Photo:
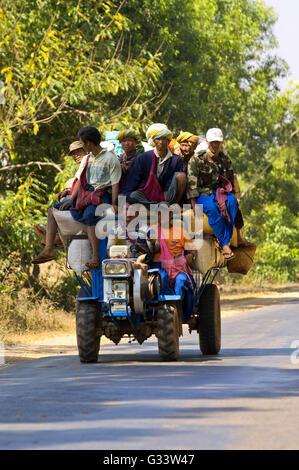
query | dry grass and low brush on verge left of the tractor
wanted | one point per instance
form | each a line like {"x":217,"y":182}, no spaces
{"x":44,"y":309}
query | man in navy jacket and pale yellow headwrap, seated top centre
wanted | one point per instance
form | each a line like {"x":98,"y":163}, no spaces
{"x":158,"y":174}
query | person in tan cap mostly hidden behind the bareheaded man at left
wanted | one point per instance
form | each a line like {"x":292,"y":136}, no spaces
{"x":77,"y":152}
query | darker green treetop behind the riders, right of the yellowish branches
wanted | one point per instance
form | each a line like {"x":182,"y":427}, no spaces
{"x":218,"y":66}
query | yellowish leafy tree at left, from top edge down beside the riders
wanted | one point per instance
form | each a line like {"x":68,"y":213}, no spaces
{"x":64,"y":66}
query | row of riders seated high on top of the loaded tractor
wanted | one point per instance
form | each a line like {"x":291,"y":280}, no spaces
{"x":175,"y":171}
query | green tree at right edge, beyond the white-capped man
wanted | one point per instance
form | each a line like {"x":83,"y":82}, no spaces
{"x":271,"y":204}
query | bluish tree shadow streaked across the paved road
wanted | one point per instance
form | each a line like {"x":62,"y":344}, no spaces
{"x":125,"y":397}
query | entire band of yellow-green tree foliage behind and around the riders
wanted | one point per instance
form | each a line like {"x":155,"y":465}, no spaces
{"x":115,"y":63}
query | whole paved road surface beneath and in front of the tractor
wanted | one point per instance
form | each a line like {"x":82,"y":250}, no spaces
{"x":247,"y":397}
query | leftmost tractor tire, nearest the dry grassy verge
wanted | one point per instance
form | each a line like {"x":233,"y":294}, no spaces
{"x":87,"y":328}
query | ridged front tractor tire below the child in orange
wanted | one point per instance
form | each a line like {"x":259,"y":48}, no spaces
{"x":168,"y":333}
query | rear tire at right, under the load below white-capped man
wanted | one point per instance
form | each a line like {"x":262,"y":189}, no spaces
{"x":209,"y":320}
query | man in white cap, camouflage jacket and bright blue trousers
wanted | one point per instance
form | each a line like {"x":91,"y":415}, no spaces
{"x":210,"y":183}
